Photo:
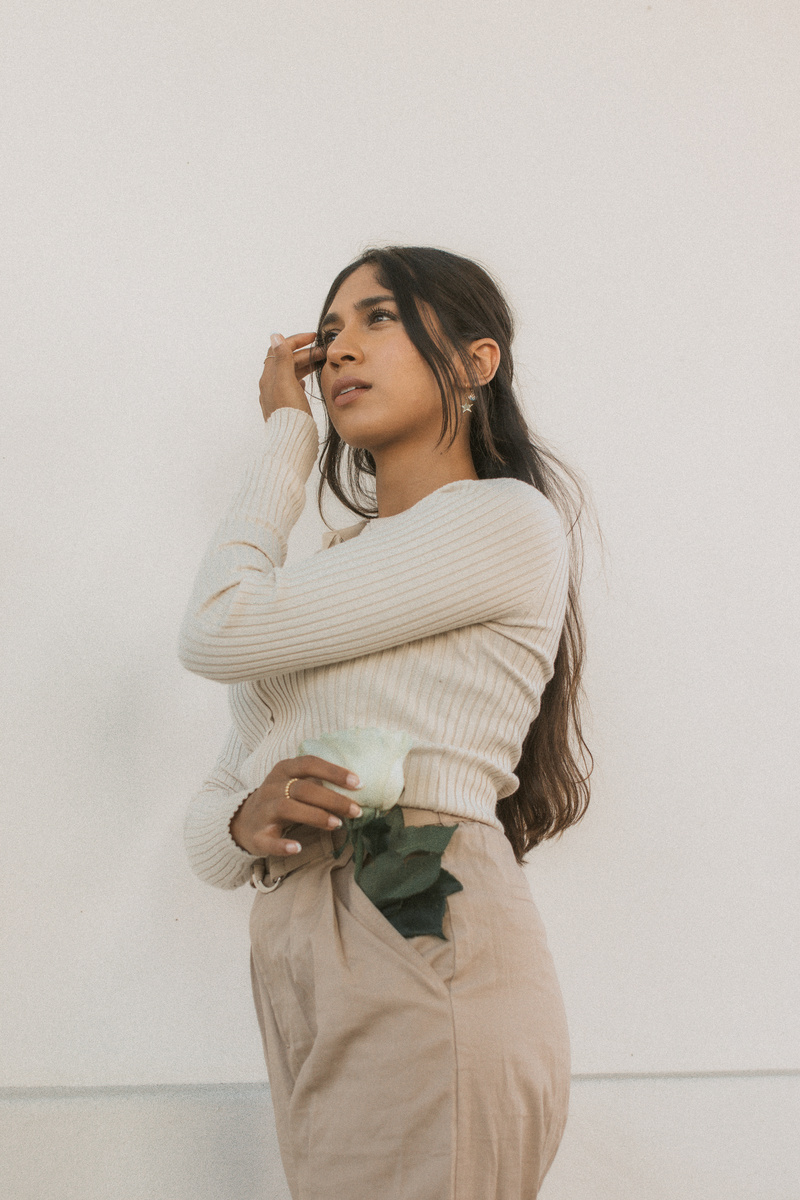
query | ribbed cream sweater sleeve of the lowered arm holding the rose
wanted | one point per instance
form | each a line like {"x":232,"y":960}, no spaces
{"x":213,"y":854}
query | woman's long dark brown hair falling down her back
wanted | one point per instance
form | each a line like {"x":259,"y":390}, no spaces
{"x":554,"y":791}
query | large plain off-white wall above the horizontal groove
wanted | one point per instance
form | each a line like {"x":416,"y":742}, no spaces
{"x":185,"y":178}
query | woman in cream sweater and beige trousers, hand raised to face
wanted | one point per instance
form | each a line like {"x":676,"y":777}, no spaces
{"x":430,"y":1067}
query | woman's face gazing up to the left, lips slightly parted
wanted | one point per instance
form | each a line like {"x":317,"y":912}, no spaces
{"x":365,"y":339}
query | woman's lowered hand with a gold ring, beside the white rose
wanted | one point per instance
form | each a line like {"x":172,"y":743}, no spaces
{"x":260,"y":823}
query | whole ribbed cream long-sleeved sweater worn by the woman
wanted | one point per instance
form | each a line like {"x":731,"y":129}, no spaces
{"x":443,"y":621}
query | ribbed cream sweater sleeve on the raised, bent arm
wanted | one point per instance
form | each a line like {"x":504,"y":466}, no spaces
{"x":473,"y":551}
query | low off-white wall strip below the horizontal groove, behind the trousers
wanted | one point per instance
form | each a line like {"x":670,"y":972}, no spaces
{"x":627,"y":1139}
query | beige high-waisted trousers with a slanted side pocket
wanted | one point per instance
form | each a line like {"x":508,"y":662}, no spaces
{"x":411,"y":1069}
